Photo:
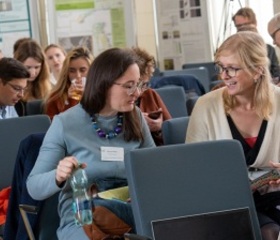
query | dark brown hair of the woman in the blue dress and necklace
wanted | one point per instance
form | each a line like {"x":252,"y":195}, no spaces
{"x":104,"y":71}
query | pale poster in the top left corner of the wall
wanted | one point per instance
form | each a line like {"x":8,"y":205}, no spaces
{"x":15,"y":23}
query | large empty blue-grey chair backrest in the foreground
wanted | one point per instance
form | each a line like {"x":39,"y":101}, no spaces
{"x":187,"y":179}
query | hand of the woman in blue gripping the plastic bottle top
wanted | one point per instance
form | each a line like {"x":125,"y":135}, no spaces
{"x":65,"y":168}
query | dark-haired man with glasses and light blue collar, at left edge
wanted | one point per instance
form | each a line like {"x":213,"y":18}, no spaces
{"x":13,"y":83}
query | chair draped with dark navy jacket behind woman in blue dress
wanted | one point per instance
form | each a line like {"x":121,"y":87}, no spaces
{"x":45,"y":221}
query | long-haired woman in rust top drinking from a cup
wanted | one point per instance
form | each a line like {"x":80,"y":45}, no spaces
{"x":75,"y":66}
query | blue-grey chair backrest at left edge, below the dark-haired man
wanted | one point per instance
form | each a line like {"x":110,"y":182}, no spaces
{"x":13,"y":130}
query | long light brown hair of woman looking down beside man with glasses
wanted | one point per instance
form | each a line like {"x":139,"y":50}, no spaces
{"x":40,"y":87}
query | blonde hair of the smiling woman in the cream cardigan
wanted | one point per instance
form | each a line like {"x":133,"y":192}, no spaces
{"x":251,"y":52}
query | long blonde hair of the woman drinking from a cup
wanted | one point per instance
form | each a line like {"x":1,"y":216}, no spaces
{"x":60,"y":90}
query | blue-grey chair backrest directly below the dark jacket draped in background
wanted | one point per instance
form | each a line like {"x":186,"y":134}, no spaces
{"x":175,"y":100}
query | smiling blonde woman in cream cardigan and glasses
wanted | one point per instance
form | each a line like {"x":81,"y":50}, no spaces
{"x":246,"y":109}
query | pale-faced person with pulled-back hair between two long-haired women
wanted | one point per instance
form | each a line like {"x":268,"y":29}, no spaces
{"x":55,"y":56}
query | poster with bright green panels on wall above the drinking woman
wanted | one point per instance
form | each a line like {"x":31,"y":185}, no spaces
{"x":96,"y":24}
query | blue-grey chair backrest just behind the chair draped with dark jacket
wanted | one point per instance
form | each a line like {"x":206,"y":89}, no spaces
{"x":201,"y":73}
